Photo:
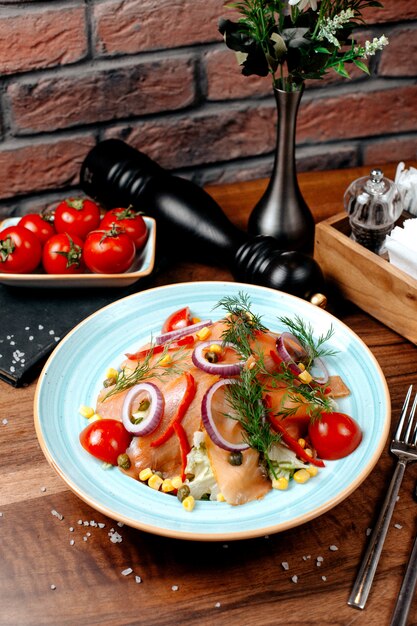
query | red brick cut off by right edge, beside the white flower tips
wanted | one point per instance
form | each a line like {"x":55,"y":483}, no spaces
{"x":399,"y":57}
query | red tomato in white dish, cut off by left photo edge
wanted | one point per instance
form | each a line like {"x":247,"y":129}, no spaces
{"x":20,"y":250}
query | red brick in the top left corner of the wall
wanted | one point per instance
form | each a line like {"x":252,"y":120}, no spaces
{"x":33,"y":38}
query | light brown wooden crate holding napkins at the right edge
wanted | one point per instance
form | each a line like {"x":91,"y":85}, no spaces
{"x":371,"y":282}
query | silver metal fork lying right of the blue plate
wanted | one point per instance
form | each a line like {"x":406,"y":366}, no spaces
{"x":404,"y":446}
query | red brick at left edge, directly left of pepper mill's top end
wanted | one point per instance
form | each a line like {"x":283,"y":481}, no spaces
{"x":35,"y":166}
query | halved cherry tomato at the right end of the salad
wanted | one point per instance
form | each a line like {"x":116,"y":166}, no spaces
{"x":334,"y":435}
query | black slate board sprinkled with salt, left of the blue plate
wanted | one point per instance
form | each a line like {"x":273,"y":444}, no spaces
{"x":33,"y":321}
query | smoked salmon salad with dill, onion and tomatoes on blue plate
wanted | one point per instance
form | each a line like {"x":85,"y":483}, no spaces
{"x":222,"y":409}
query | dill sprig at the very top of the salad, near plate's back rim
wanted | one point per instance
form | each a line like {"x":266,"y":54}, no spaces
{"x":242,"y":324}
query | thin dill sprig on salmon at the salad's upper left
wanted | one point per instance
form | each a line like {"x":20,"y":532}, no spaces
{"x":148,"y":369}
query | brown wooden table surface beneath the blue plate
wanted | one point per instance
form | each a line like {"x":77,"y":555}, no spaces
{"x":46,"y":581}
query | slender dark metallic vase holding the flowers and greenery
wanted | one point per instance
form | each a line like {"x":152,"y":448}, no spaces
{"x":282,"y":211}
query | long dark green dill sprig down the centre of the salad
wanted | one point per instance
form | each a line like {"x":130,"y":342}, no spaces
{"x":244,"y":397}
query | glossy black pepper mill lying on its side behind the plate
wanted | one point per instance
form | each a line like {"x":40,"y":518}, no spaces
{"x":190,"y":224}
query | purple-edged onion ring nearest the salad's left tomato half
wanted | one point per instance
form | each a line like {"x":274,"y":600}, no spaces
{"x":156,"y":409}
